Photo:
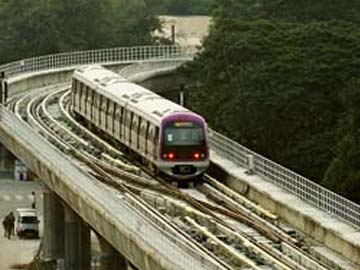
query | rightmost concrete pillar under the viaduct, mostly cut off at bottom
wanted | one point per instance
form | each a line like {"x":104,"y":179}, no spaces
{"x":111,"y":259}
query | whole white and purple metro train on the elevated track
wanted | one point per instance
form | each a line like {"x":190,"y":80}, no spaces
{"x":165,"y":136}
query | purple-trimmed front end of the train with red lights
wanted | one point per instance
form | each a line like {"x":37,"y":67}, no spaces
{"x":183,"y":148}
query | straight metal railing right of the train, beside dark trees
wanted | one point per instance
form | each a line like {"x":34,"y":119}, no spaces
{"x":302,"y":187}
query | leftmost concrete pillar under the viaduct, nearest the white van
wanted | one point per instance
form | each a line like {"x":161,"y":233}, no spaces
{"x":53,"y":239}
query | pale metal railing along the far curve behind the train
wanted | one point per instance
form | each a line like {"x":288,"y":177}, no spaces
{"x":102,"y":56}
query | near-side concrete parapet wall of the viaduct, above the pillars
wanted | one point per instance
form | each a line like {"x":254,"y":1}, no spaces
{"x":82,"y":193}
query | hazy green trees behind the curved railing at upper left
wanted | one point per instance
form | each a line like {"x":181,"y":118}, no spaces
{"x":36,"y":27}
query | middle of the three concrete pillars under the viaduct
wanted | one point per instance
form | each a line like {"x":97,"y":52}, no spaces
{"x":77,"y":242}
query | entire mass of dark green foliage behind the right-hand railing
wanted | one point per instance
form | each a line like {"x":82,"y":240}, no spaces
{"x":282,"y":84}
